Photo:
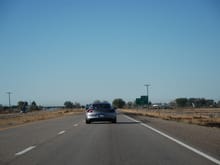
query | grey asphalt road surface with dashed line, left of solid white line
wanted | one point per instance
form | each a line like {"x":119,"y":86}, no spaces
{"x":69,"y":140}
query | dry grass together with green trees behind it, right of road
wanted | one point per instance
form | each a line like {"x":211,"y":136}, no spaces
{"x":198,"y":111}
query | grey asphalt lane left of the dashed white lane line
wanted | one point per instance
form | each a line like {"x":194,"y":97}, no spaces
{"x":16,"y":139}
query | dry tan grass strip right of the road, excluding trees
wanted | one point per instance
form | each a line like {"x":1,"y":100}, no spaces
{"x":205,"y":117}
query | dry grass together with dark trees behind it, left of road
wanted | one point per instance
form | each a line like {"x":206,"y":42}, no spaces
{"x":25,"y":113}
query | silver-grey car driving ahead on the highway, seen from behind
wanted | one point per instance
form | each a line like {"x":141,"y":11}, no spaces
{"x":101,"y":112}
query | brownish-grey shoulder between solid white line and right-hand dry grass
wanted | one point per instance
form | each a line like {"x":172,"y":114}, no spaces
{"x":205,"y":139}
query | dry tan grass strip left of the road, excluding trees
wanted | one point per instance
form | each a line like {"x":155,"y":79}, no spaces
{"x":19,"y":119}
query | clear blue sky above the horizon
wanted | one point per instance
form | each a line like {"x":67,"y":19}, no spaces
{"x":52,"y":51}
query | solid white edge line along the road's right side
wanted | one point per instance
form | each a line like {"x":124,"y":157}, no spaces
{"x":177,"y":141}
